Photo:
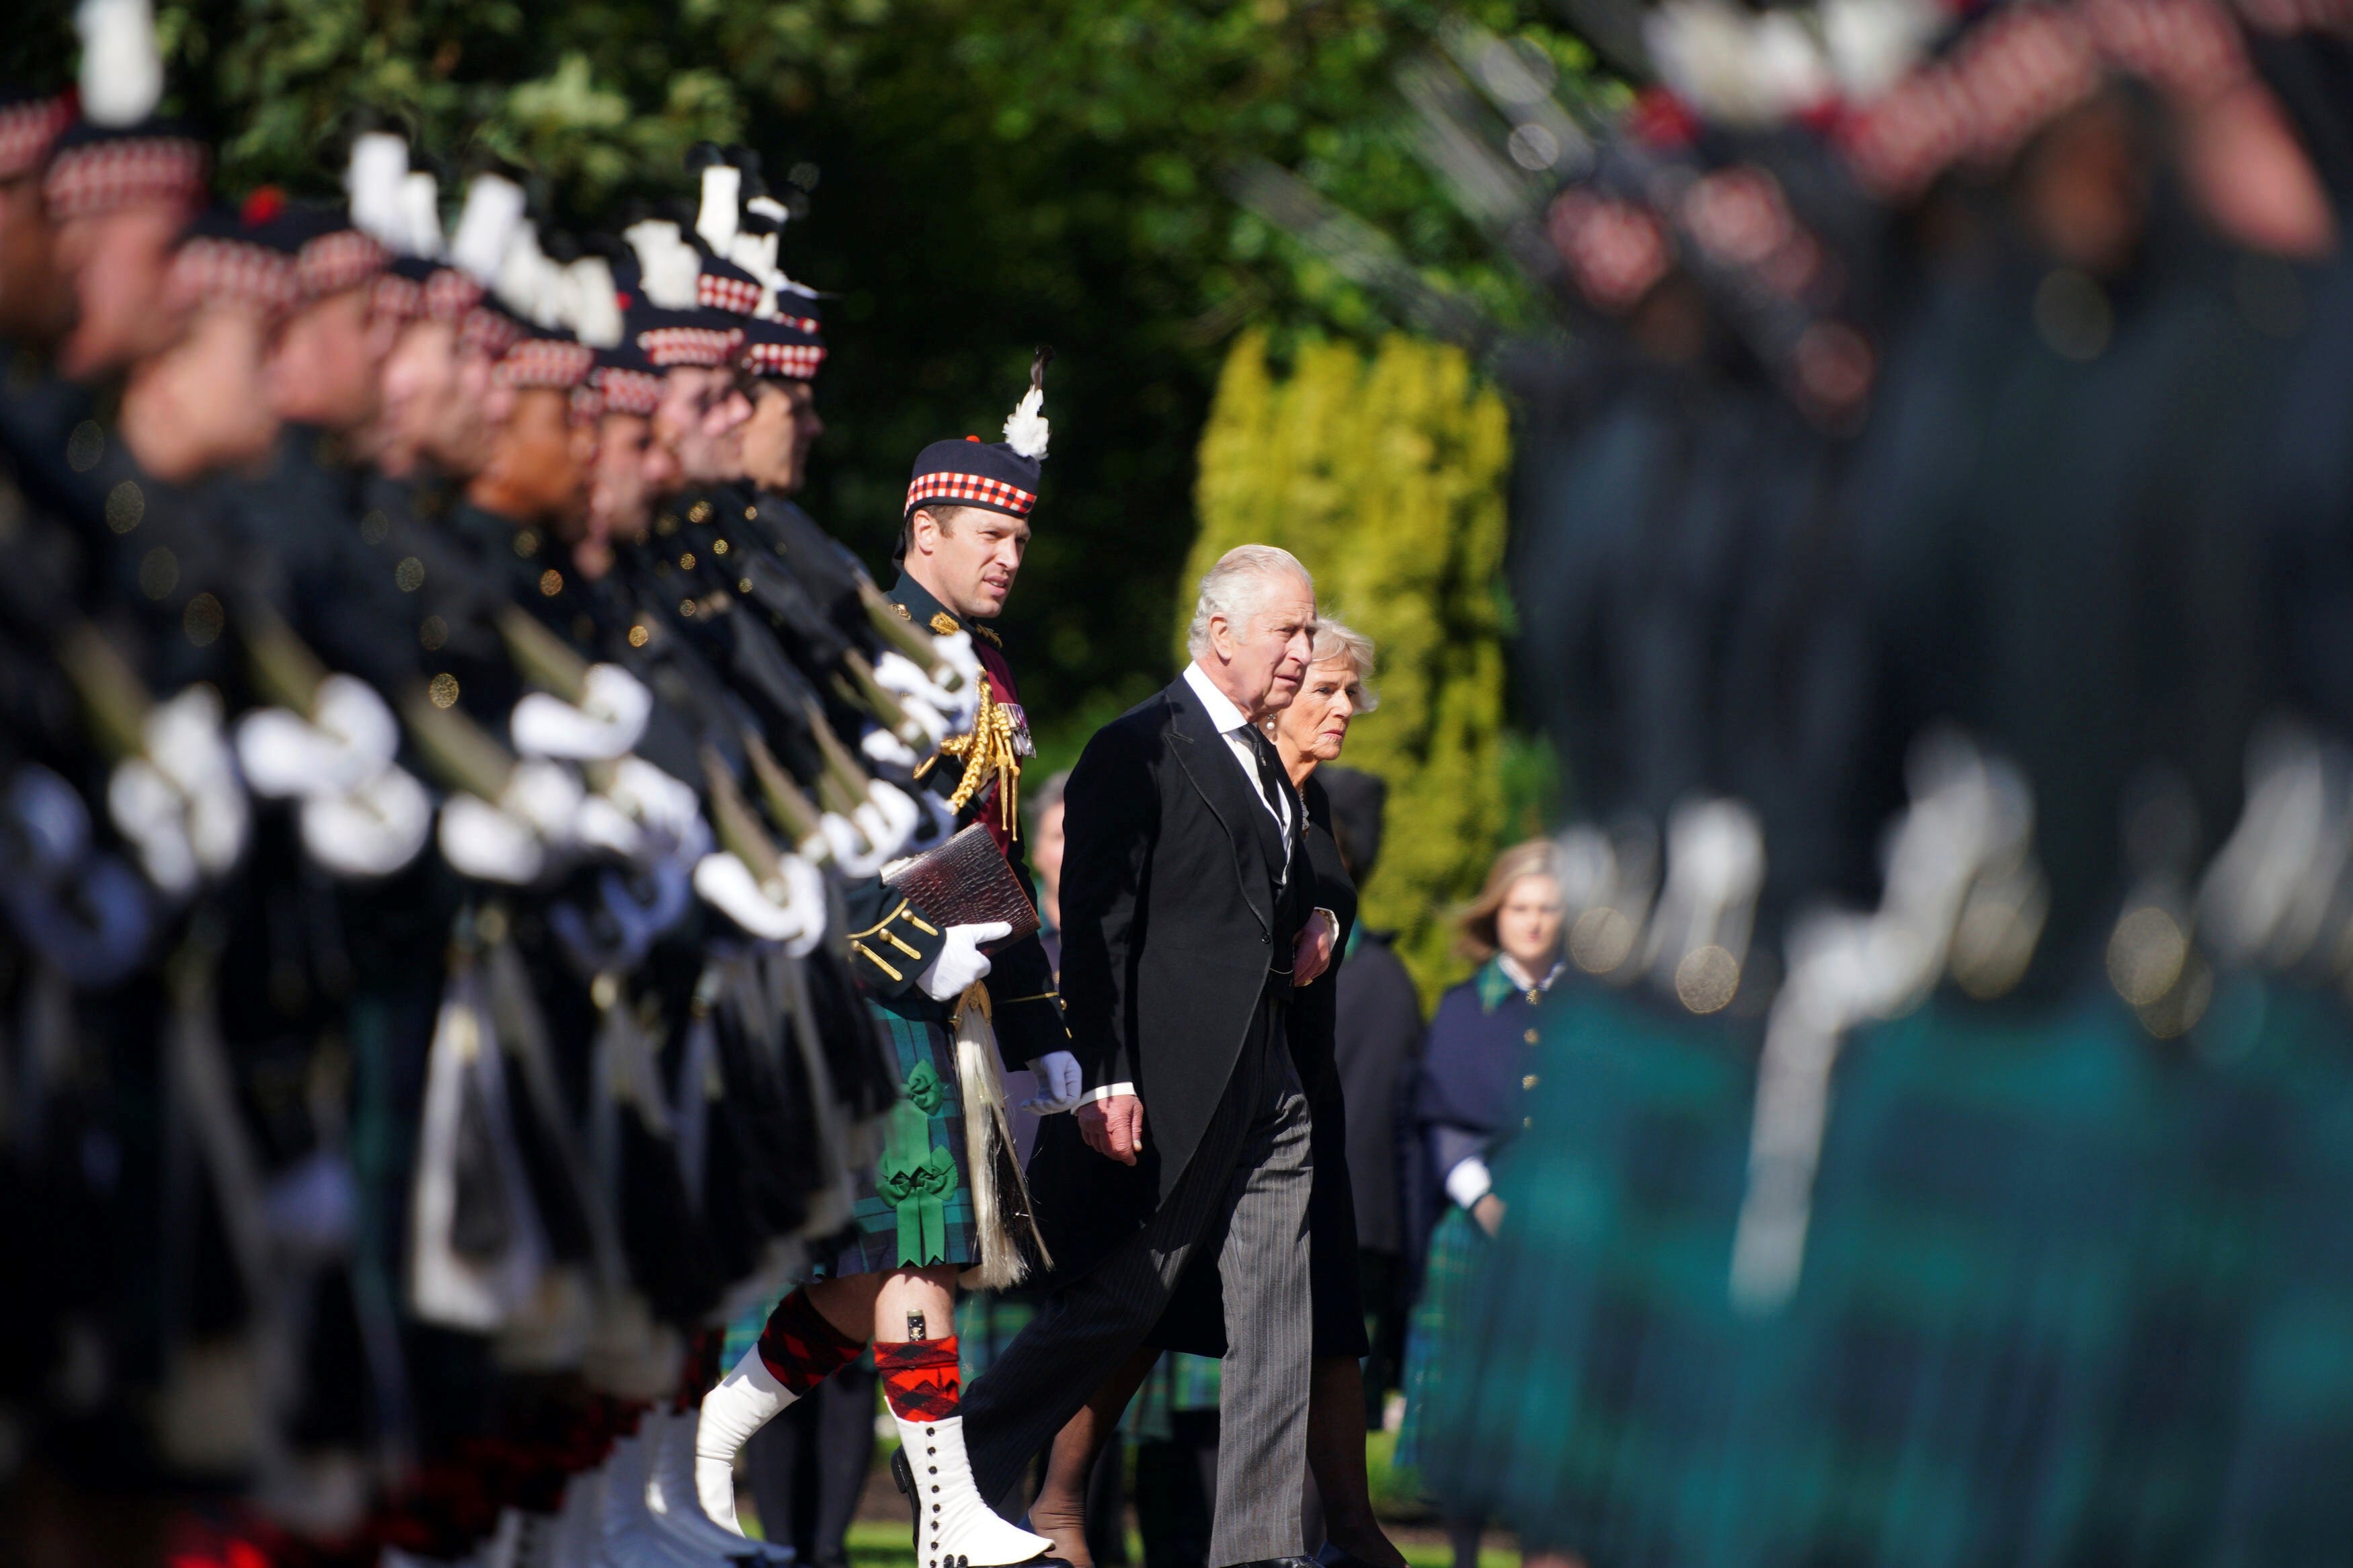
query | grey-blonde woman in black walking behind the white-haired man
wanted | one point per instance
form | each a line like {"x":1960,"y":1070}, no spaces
{"x":1307,"y":735}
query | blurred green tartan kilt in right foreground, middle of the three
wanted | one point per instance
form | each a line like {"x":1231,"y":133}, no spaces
{"x":1947,"y":1379}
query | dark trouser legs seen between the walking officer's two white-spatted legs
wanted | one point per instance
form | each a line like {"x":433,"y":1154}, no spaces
{"x":808,"y":1468}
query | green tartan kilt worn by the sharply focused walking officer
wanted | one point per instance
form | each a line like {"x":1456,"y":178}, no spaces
{"x":914,"y":1207}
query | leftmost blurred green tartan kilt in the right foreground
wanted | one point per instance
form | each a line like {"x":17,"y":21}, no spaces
{"x":1582,"y":1367}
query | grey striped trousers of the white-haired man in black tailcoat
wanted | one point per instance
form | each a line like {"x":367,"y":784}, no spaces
{"x":1246,"y":1195}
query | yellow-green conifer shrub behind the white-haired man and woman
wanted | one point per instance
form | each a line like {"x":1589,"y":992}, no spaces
{"x":1387,"y":478}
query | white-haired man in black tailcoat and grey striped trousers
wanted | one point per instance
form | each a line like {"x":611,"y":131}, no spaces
{"x":1187,"y":927}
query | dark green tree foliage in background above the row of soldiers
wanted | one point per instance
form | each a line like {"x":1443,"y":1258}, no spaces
{"x":982,"y":177}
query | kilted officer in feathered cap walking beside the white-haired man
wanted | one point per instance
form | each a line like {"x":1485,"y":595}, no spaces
{"x":924,"y":1214}
